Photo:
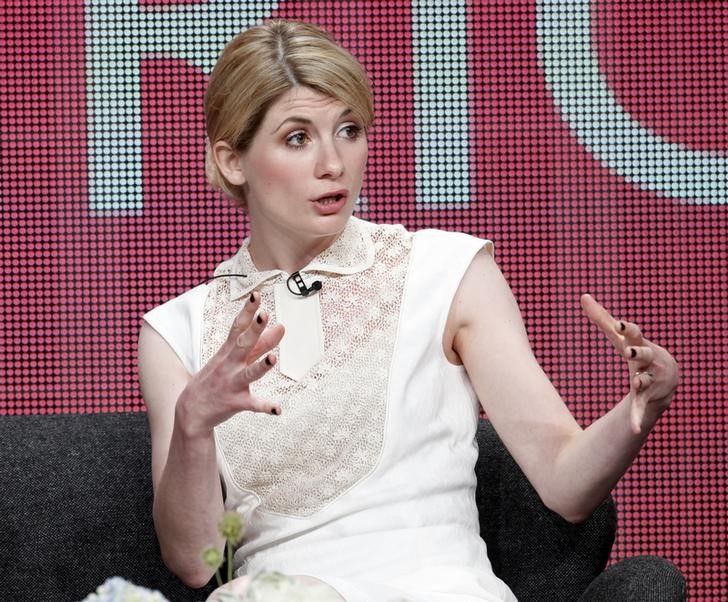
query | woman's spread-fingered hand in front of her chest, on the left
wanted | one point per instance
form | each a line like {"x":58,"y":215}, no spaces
{"x":222,"y":387}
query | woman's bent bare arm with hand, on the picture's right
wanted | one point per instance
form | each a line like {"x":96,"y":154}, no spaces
{"x":572,"y":469}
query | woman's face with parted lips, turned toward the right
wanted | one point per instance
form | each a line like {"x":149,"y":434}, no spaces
{"x":303,"y":170}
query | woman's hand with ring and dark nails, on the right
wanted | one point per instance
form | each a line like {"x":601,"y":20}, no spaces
{"x":653,"y":372}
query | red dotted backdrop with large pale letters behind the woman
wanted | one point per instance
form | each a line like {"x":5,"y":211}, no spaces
{"x":587,"y":139}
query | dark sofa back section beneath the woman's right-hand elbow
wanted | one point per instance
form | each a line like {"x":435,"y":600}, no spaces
{"x":535,"y":551}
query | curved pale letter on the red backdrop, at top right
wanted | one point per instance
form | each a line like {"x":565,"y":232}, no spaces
{"x":633,"y":151}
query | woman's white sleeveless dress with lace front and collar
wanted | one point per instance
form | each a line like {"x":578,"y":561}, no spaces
{"x":366,"y":480}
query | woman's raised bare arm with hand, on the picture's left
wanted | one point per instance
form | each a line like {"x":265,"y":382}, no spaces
{"x":183,"y":411}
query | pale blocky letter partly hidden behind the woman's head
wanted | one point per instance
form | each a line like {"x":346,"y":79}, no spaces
{"x":118,"y":34}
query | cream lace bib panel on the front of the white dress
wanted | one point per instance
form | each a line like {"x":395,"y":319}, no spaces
{"x":331,"y":430}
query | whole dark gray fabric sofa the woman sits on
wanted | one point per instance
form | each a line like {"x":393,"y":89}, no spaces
{"x":76,"y":509}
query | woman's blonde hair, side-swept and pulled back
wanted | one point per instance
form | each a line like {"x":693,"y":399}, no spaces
{"x":260,"y":65}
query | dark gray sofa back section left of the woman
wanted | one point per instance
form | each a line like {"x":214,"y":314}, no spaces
{"x":77,"y":507}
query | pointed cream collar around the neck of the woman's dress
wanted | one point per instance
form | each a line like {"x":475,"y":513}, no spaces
{"x":350,"y":253}
